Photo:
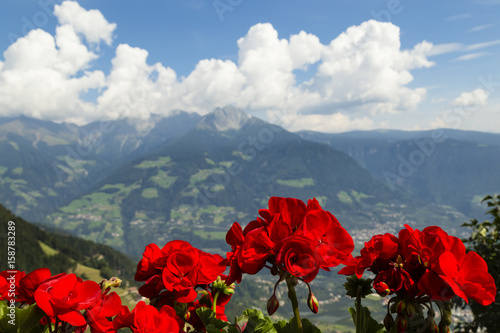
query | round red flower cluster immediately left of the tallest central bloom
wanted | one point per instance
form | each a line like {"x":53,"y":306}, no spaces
{"x":176,"y":274}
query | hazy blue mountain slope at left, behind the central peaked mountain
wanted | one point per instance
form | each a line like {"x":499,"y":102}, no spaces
{"x":45,"y":165}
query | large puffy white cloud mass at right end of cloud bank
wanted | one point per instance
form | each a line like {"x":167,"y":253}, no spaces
{"x":365,"y":68}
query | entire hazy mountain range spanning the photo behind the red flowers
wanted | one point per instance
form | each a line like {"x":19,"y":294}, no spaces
{"x":128,"y":183}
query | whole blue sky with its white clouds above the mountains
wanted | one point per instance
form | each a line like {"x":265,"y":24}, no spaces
{"x":329,"y":66}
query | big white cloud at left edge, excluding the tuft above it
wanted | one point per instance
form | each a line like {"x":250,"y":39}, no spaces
{"x":37,"y":77}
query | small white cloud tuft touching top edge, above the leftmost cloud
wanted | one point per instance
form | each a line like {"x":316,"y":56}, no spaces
{"x":90,"y":23}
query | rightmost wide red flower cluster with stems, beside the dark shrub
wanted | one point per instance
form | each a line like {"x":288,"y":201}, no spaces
{"x":419,"y":267}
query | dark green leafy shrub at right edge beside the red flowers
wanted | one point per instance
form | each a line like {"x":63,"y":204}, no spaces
{"x":485,"y":240}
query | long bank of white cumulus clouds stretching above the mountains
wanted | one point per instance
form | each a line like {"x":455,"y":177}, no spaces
{"x":360,"y":73}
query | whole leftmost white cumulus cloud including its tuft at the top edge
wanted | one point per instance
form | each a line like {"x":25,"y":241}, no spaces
{"x":43,"y":76}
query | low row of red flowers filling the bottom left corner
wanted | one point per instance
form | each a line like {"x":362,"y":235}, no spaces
{"x":73,"y":305}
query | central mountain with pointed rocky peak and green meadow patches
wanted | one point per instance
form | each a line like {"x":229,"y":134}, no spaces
{"x":224,"y":171}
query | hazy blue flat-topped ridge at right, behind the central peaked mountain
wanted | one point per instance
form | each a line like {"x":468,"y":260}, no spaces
{"x":448,"y":167}
